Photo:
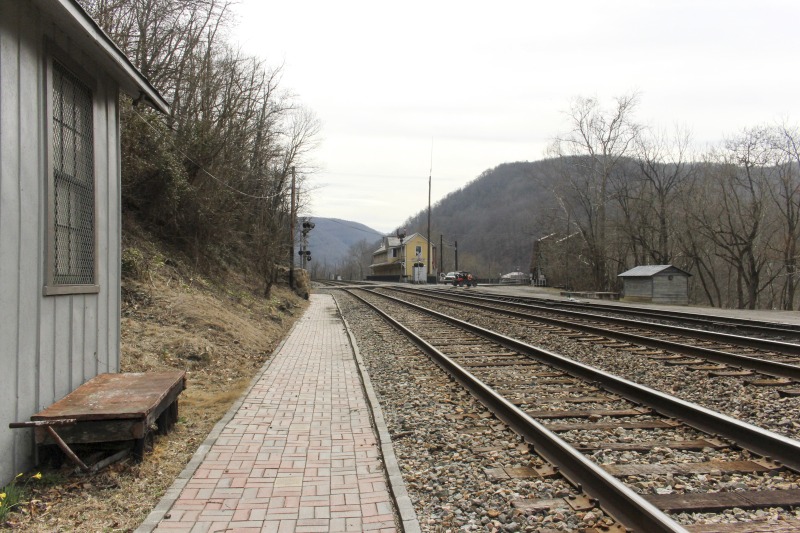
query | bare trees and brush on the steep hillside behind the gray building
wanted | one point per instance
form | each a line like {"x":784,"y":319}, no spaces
{"x":214,"y":177}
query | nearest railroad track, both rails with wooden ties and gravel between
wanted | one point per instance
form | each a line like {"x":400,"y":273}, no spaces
{"x":541,"y":394}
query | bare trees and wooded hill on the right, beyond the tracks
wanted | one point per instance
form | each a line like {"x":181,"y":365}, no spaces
{"x":612,"y":194}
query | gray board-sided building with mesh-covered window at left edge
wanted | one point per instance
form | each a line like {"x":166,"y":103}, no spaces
{"x":60,"y":223}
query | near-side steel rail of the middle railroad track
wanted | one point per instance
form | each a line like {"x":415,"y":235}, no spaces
{"x":772,"y":368}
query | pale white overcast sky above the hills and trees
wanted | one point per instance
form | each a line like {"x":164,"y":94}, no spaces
{"x":477,"y":84}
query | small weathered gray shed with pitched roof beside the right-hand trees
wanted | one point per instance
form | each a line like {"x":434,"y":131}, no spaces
{"x":658,"y":284}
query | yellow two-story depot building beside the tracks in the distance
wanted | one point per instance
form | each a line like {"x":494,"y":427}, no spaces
{"x":404,"y":259}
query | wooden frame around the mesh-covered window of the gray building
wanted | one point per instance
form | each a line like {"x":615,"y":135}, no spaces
{"x":51,"y":287}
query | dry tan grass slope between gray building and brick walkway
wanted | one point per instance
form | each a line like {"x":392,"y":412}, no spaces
{"x":171,"y":319}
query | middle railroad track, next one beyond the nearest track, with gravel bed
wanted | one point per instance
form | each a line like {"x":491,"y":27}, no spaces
{"x":777,"y":362}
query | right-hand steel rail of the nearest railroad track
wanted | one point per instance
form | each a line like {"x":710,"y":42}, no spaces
{"x":761,"y":441}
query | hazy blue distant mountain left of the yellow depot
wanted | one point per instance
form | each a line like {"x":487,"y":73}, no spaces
{"x":331,"y":239}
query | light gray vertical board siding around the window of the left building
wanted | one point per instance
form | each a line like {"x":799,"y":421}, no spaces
{"x":50,"y":344}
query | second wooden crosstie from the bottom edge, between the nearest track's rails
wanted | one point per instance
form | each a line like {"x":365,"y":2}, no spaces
{"x":719,"y":501}
